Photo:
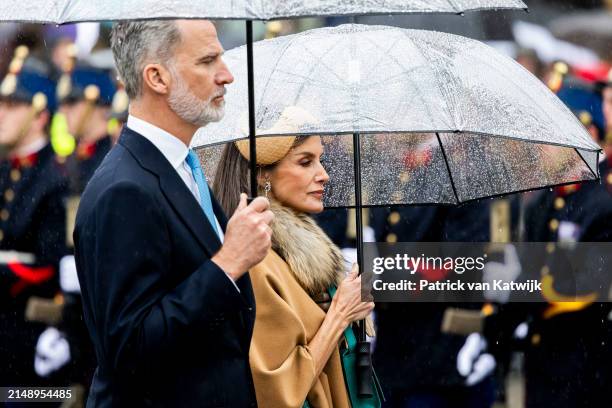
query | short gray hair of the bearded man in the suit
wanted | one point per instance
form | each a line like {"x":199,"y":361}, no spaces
{"x":138,"y":43}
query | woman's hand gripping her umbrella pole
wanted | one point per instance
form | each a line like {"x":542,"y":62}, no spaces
{"x":347,"y":302}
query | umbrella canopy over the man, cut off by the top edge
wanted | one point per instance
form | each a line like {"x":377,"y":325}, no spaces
{"x":63,"y":11}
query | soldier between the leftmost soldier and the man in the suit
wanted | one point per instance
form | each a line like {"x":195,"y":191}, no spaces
{"x":85,"y":96}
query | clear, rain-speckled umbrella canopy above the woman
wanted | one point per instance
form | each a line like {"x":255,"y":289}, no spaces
{"x":442,"y":118}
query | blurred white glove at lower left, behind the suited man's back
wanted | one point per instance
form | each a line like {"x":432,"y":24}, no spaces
{"x":52,"y":352}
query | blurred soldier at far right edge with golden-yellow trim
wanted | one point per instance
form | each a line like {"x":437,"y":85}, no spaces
{"x":568,"y":358}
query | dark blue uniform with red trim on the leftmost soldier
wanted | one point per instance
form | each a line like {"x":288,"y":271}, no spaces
{"x":32,"y":221}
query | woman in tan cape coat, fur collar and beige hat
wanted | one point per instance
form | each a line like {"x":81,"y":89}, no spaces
{"x":294,"y":350}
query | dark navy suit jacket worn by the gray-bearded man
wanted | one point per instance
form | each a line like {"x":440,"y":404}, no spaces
{"x":168,"y":326}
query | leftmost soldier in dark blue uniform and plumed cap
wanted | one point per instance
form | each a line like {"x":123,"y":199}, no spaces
{"x":32,"y":213}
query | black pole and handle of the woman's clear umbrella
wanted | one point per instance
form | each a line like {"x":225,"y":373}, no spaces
{"x":364,"y":359}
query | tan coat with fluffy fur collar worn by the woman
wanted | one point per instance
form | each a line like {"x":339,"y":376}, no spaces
{"x":287,"y":319}
